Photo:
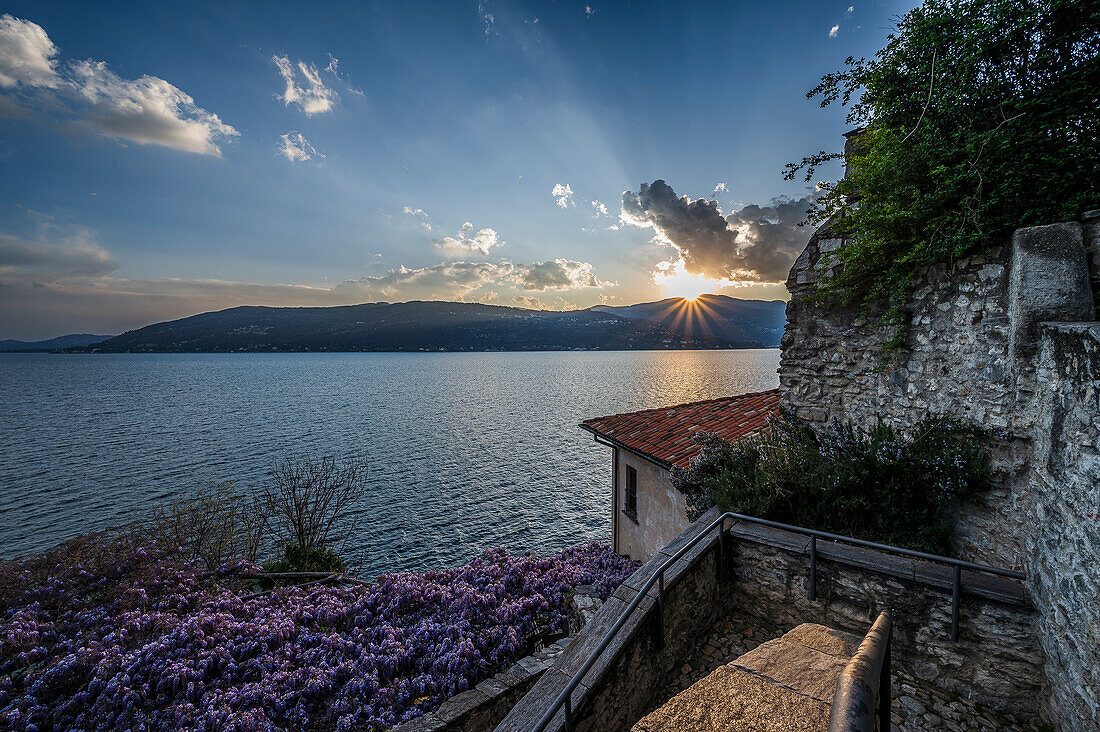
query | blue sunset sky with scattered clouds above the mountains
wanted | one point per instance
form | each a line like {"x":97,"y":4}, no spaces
{"x":162,"y":160}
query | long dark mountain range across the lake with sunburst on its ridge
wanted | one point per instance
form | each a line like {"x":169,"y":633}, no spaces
{"x":710,"y":322}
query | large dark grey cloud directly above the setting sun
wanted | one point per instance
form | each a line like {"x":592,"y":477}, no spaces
{"x":756,"y":244}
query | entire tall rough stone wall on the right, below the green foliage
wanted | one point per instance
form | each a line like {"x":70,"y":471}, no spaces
{"x":981,"y":347}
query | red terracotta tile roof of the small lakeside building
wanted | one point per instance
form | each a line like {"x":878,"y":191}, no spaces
{"x":665,"y":435}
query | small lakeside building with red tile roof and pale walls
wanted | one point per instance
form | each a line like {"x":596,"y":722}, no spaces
{"x":648,"y":512}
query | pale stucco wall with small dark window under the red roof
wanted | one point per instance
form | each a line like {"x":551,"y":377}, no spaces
{"x":663,"y":512}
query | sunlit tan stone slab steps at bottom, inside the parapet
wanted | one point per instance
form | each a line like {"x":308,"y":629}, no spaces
{"x":784,"y":685}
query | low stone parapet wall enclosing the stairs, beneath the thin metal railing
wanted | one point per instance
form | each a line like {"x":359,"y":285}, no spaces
{"x":997,"y":662}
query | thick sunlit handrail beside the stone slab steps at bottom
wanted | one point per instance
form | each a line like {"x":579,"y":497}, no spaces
{"x":864,"y":687}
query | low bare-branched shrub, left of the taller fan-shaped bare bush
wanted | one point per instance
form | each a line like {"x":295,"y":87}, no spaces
{"x":218,"y":525}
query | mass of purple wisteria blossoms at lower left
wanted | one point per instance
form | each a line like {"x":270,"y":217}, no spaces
{"x":106,"y":633}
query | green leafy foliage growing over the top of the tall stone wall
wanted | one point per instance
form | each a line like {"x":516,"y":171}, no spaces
{"x":982,"y":117}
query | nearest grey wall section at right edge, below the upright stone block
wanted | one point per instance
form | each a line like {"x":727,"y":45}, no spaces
{"x":1065,"y":483}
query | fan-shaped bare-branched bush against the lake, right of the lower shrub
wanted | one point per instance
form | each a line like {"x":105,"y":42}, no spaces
{"x":305,"y":500}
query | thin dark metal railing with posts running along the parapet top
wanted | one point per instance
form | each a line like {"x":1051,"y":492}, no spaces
{"x":566,"y":698}
